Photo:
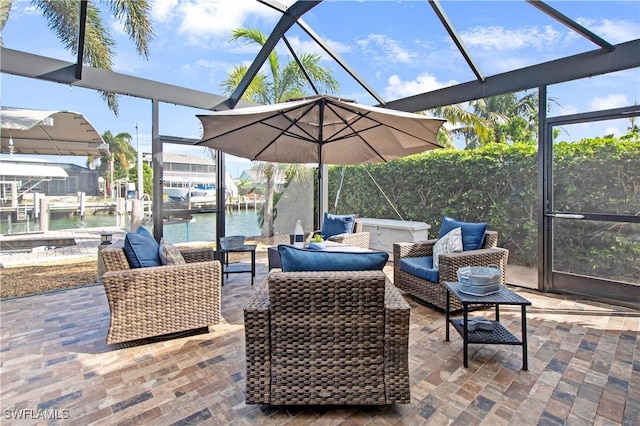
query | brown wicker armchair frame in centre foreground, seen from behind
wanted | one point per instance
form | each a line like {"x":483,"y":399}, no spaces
{"x":327,"y":338}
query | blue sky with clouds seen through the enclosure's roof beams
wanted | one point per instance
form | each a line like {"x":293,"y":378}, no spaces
{"x":399,"y":48}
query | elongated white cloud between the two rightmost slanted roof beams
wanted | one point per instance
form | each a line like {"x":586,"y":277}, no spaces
{"x":497,"y":38}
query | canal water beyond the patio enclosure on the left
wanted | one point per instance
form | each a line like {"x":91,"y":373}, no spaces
{"x":201,"y":228}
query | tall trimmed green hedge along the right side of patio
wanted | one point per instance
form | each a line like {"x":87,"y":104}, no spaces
{"x":498,"y":184}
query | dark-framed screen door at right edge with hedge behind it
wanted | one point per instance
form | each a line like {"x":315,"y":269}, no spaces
{"x":594,"y":222}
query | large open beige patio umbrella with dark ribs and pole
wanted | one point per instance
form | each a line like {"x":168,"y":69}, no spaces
{"x":319,"y":129}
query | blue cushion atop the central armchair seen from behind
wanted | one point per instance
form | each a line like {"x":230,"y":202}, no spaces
{"x":297,"y":259}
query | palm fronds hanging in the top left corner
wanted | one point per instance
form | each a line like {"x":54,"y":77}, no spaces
{"x":63,"y":17}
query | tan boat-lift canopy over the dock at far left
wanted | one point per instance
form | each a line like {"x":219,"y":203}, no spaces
{"x":44,"y":132}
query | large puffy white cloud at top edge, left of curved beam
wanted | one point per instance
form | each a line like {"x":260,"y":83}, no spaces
{"x":204,"y":21}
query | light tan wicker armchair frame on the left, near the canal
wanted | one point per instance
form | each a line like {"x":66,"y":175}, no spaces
{"x":152,"y":301}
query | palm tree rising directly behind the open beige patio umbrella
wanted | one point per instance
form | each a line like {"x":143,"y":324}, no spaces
{"x":283,"y":83}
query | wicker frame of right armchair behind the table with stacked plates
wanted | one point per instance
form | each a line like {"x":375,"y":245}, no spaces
{"x":434,"y":294}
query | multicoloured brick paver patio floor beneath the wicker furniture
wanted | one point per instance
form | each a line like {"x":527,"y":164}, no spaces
{"x":584,"y":368}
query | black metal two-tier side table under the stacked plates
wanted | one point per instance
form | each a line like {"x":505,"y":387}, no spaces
{"x":499,"y":335}
